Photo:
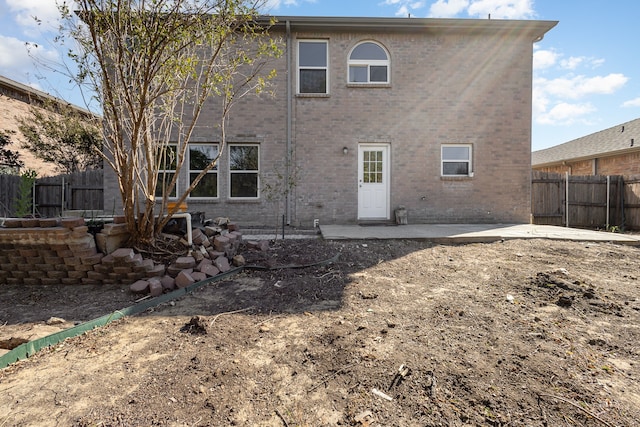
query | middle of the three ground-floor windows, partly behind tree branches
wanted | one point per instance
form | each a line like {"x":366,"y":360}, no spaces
{"x":200,"y":156}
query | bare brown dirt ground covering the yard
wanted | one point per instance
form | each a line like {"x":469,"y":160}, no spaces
{"x":394,"y":333}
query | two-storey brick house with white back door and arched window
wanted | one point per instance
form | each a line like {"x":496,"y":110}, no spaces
{"x":430,"y":114}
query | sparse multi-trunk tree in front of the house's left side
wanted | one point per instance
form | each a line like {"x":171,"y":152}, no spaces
{"x":153,"y":64}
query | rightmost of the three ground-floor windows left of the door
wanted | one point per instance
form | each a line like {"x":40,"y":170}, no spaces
{"x":244,"y":170}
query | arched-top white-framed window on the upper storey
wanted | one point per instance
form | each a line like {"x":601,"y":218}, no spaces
{"x":369,"y":63}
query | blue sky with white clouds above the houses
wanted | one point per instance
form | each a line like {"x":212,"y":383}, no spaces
{"x":586,"y":69}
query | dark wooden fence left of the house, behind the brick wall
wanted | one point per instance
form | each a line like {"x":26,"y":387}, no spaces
{"x":53,"y":195}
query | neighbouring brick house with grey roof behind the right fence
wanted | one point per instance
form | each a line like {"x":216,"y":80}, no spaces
{"x":612,"y":151}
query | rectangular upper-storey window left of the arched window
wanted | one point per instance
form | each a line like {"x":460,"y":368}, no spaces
{"x":313,"y":66}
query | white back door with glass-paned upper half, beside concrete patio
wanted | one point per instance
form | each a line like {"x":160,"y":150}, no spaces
{"x":374,"y":199}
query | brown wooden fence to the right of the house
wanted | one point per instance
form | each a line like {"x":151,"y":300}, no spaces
{"x":581,"y":201}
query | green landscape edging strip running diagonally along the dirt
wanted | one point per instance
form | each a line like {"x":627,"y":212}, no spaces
{"x":23,"y":351}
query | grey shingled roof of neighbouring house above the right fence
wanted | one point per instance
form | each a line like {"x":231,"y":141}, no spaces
{"x":615,"y":140}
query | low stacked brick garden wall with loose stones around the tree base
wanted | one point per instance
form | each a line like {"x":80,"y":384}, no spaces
{"x":62,"y":251}
